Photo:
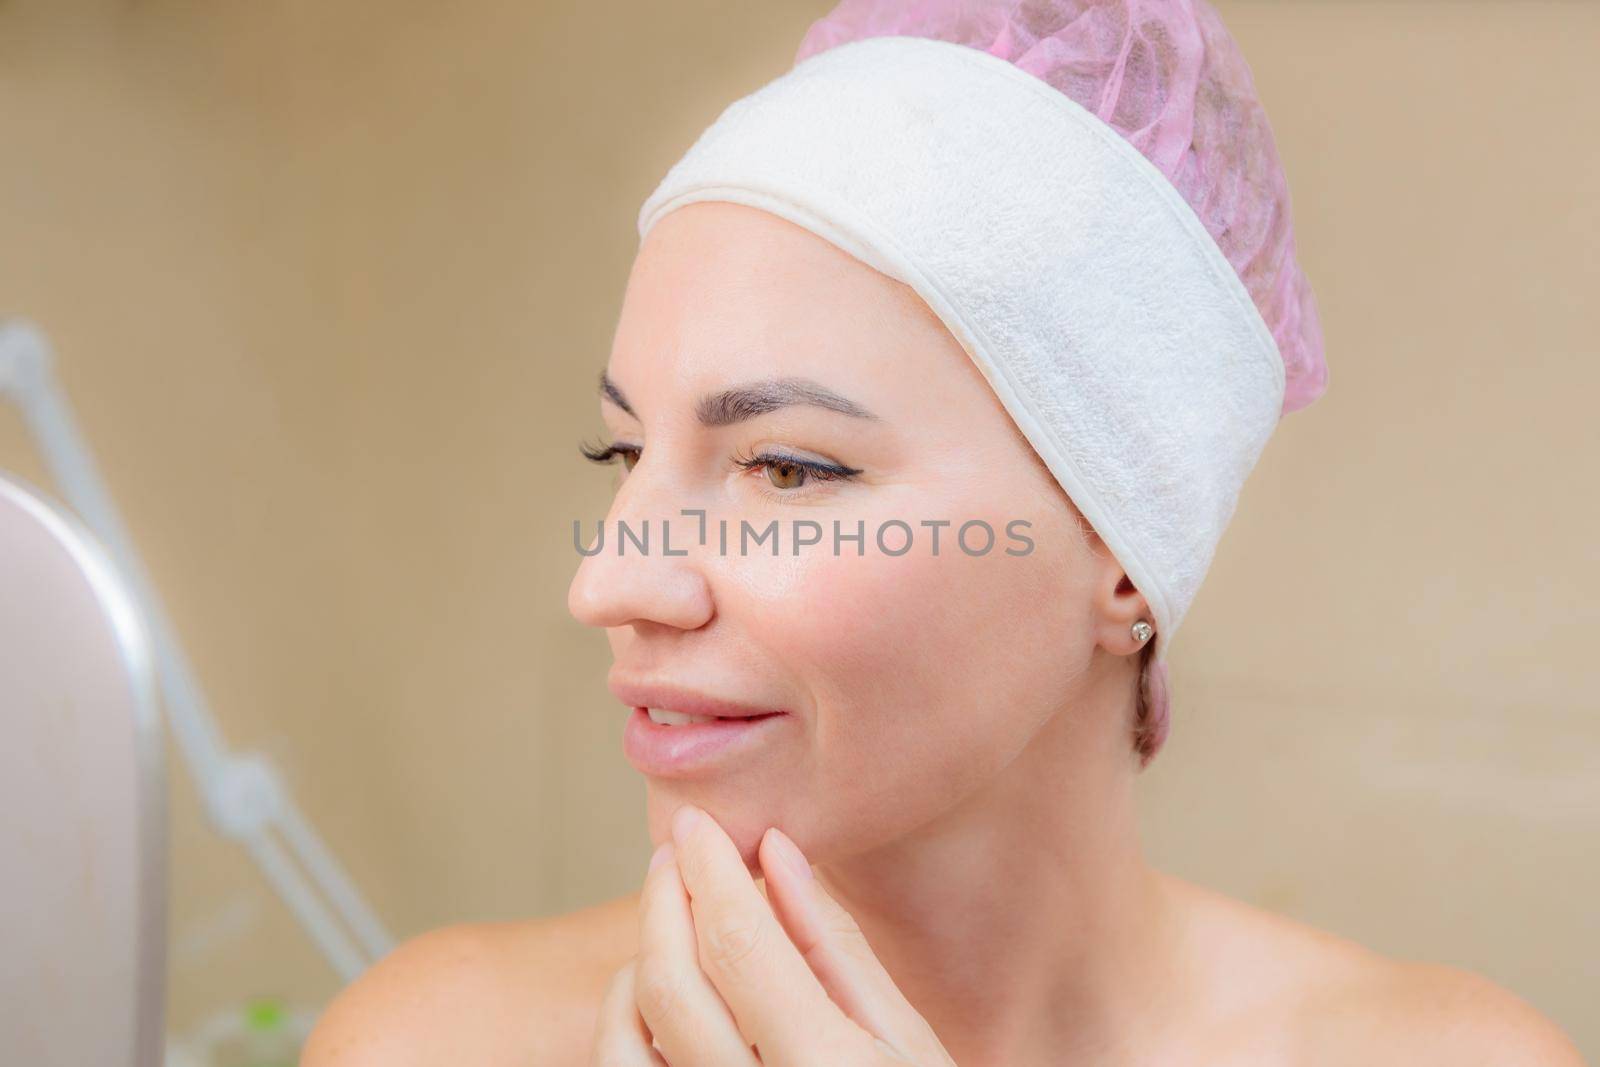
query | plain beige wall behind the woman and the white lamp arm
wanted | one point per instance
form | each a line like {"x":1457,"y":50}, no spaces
{"x":330,"y":286}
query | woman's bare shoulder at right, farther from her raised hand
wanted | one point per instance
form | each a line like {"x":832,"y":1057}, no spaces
{"x":1292,"y":994}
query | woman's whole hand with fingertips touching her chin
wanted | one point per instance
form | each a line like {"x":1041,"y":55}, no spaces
{"x":729,"y":978}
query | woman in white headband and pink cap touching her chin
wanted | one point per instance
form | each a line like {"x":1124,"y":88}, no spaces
{"x":903,"y":294}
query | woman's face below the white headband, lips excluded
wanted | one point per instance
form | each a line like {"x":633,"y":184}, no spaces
{"x":910,"y":681}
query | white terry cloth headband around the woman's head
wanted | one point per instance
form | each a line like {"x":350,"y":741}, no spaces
{"x":1081,"y":282}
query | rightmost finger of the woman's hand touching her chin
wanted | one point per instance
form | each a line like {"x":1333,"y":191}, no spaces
{"x":836,"y":949}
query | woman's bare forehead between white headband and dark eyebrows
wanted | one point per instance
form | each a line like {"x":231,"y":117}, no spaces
{"x":722,"y":292}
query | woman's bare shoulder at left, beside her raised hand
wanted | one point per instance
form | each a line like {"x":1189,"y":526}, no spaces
{"x":482,"y":994}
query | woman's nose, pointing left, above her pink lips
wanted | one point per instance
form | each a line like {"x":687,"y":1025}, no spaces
{"x":626,"y":585}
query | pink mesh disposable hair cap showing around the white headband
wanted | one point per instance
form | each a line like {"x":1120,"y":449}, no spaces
{"x":1169,"y":78}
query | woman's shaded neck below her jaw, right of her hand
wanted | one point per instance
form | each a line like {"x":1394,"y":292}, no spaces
{"x":1025,"y":924}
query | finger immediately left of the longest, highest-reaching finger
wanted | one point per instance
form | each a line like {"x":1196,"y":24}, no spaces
{"x":679,"y":1004}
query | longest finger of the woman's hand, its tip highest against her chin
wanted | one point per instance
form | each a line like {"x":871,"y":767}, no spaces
{"x":778,"y":1002}
